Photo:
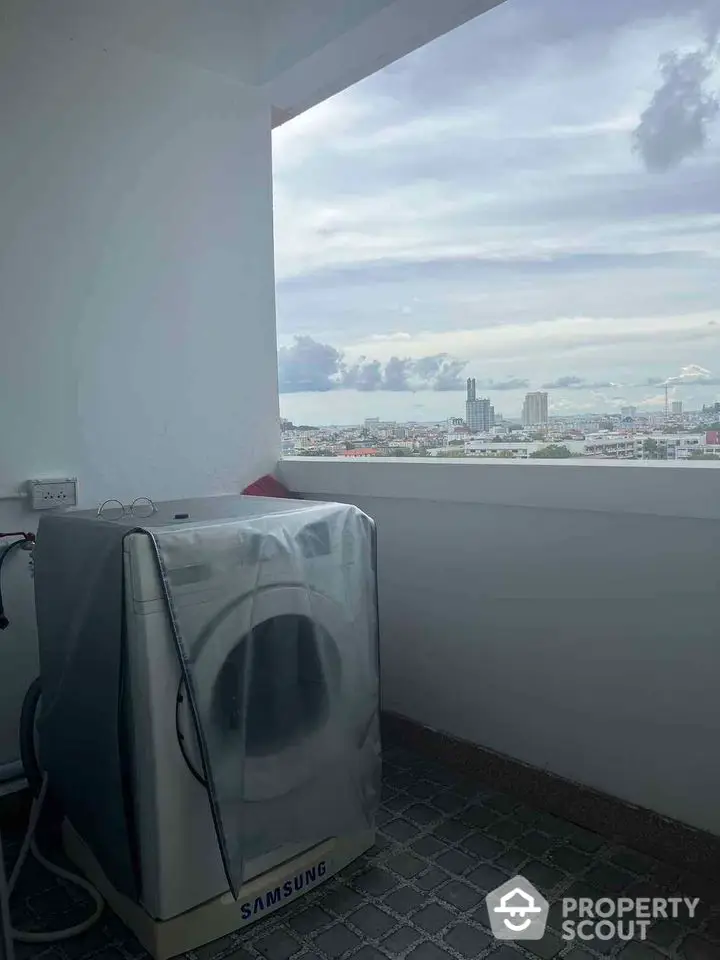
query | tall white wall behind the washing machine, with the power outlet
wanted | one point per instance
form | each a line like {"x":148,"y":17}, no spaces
{"x":137,"y":334}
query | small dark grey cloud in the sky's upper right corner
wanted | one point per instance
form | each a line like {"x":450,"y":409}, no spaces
{"x":675,"y":123}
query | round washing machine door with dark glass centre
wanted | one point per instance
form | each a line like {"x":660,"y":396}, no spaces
{"x":268,"y":679}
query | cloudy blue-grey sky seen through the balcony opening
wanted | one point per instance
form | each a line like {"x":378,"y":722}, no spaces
{"x":532,"y":200}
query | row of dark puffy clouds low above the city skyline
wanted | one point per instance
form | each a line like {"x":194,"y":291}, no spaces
{"x":312,"y":367}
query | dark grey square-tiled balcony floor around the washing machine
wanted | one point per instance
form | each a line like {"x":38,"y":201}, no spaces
{"x":443,"y":842}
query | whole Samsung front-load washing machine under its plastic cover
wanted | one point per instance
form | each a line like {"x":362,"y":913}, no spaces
{"x":210,"y":718}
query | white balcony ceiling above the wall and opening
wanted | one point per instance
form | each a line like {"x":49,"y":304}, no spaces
{"x":298,"y":52}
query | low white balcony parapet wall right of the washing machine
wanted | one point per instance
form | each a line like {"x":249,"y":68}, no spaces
{"x":565,"y":615}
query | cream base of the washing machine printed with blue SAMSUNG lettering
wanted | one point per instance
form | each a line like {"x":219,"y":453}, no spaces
{"x":223,"y":915}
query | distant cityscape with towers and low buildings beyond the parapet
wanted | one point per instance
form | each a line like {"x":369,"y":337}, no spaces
{"x":669,"y":433}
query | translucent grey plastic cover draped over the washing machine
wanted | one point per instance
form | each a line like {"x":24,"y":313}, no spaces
{"x":320,"y":653}
